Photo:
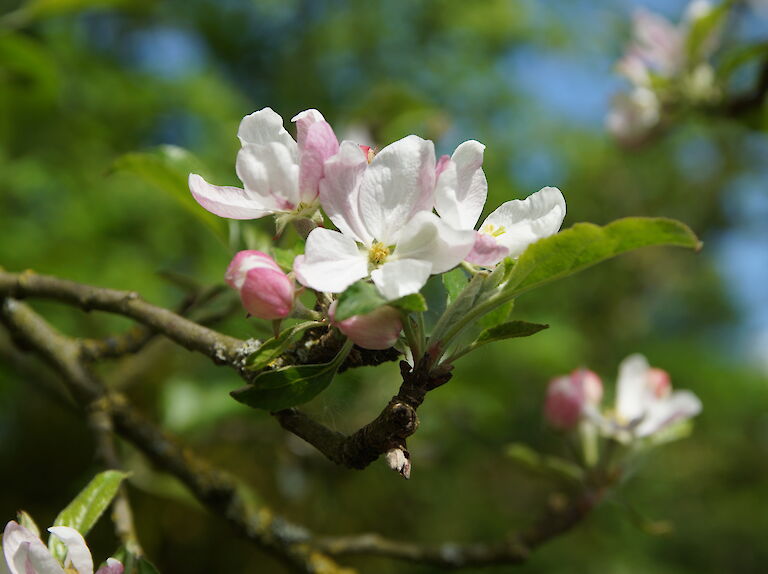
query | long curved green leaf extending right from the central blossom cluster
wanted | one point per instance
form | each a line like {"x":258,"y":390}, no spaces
{"x":585,"y":244}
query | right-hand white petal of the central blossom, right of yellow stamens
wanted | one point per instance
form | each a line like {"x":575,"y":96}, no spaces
{"x":426,"y":237}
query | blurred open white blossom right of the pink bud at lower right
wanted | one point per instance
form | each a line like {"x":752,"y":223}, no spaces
{"x":645,"y":402}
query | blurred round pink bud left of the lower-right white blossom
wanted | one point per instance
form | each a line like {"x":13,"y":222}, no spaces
{"x":569,"y":396}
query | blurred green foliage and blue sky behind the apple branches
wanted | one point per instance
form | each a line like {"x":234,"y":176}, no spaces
{"x":85,"y":82}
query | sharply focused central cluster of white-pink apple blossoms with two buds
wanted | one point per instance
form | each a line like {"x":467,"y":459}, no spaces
{"x":401,"y":215}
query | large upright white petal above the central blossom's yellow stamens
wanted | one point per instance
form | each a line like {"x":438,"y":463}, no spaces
{"x":399,"y":182}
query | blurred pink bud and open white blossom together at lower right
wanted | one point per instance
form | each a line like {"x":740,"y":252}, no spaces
{"x":645,"y":403}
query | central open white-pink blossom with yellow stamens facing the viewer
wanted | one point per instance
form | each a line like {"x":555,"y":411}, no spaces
{"x":387,"y":231}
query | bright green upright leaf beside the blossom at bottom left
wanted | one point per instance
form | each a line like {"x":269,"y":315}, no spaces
{"x":83,"y":512}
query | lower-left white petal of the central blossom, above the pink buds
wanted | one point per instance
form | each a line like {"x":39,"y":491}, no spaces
{"x":331,"y":262}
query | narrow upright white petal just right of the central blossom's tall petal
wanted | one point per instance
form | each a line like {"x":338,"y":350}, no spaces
{"x":461,"y":187}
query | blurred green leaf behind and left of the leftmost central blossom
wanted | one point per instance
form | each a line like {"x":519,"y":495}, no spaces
{"x":167,"y":169}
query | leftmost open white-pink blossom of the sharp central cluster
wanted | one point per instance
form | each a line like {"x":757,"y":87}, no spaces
{"x":279,"y":175}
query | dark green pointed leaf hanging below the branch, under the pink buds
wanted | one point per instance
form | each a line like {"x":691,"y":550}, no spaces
{"x":290,"y":386}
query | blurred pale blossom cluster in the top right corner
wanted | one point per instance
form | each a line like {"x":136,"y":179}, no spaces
{"x":665,"y":64}
